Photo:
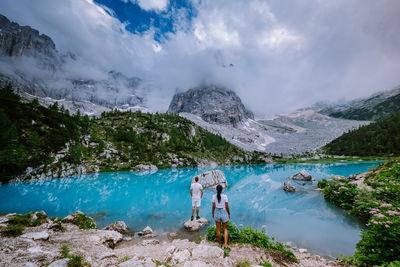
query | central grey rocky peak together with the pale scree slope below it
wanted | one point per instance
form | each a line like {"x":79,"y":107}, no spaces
{"x":221,"y":111}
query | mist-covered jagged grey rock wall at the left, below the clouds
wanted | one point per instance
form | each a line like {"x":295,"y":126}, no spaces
{"x":30,"y":62}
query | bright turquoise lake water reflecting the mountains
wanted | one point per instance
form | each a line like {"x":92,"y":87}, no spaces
{"x":162,"y":201}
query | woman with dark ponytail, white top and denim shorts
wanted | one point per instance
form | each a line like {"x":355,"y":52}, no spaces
{"x":222,"y":214}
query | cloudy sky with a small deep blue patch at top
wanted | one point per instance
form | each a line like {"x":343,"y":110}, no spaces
{"x":277,"y":55}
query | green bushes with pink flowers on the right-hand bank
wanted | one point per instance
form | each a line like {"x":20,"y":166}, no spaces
{"x":380,"y":207}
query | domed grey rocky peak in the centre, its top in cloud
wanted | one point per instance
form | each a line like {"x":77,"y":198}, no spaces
{"x":213,"y":104}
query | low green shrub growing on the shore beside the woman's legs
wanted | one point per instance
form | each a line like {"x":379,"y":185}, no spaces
{"x":248,"y":235}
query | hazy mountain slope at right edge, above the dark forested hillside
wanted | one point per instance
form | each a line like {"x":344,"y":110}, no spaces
{"x":373,"y":107}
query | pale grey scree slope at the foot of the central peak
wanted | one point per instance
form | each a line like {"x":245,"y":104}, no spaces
{"x":295,"y":133}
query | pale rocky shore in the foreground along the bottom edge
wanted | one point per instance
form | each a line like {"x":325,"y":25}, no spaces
{"x":41,"y":246}
